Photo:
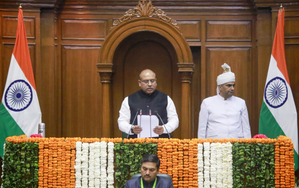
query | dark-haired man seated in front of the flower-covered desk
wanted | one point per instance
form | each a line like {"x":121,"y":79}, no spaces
{"x":149,"y":169}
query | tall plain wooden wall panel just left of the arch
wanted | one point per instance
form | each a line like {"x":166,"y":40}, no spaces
{"x":81,"y":92}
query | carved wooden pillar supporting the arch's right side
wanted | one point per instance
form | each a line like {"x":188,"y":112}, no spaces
{"x":186,"y":70}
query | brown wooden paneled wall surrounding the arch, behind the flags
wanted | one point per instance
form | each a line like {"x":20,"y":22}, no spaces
{"x":64,"y":44}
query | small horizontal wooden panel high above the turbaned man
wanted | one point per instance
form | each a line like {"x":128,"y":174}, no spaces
{"x":228,"y":30}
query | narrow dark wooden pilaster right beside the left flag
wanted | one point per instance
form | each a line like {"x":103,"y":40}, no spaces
{"x":47,"y":88}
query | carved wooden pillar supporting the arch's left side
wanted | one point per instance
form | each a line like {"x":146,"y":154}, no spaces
{"x":105,"y":70}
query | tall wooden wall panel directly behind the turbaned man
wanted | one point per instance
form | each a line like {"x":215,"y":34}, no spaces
{"x":240,"y":61}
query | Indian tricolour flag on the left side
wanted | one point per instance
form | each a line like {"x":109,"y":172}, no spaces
{"x":19,"y":110}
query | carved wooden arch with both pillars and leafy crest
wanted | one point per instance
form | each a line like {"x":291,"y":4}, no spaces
{"x":145,"y":17}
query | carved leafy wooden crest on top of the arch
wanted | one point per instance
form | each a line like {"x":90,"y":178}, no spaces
{"x":145,"y":8}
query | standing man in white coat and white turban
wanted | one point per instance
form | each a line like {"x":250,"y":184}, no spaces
{"x":224,"y":115}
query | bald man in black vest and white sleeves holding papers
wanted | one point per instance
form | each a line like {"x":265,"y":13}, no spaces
{"x":148,"y":101}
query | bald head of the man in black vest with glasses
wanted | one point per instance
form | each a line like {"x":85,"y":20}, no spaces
{"x":147,"y":81}
